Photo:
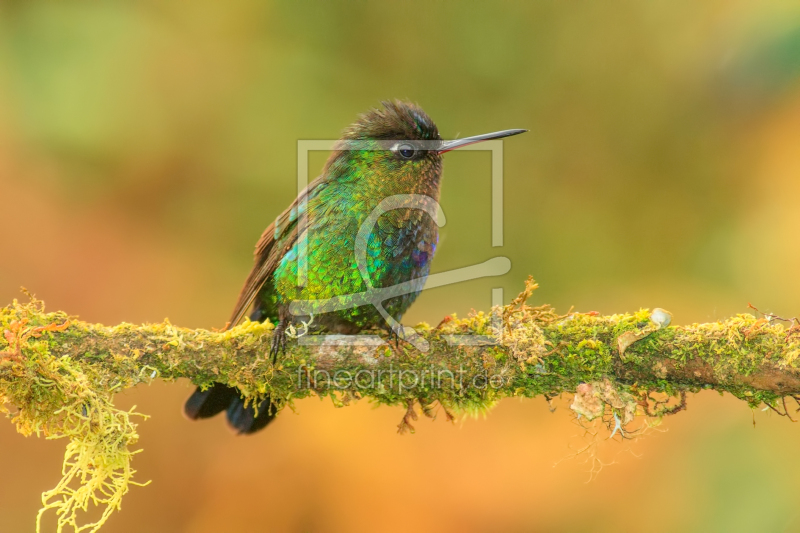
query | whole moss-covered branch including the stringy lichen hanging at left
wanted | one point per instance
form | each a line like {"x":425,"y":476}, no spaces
{"x":58,"y":374}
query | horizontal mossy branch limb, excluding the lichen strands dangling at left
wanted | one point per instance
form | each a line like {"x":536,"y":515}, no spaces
{"x":538,"y":352}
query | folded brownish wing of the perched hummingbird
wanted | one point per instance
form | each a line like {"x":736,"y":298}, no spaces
{"x":274,"y":243}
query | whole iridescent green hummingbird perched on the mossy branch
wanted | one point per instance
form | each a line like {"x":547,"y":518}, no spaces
{"x":393,"y":151}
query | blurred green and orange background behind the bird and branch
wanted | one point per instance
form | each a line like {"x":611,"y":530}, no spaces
{"x":144,"y":146}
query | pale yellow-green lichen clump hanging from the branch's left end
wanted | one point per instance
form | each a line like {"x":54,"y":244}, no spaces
{"x":62,"y":398}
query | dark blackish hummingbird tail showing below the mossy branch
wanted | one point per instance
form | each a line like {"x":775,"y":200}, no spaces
{"x":218,"y":398}
